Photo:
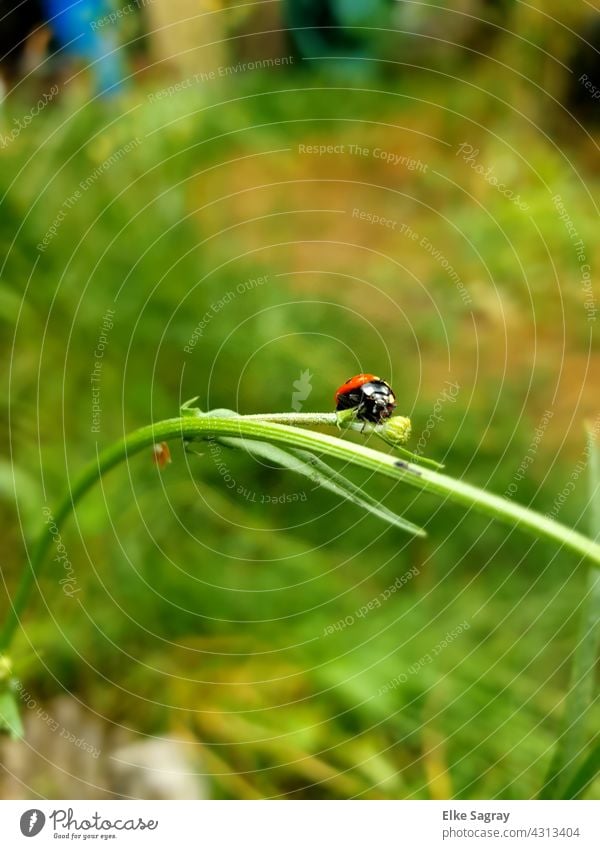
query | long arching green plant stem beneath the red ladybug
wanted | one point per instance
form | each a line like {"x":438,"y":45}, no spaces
{"x":207,"y":426}
